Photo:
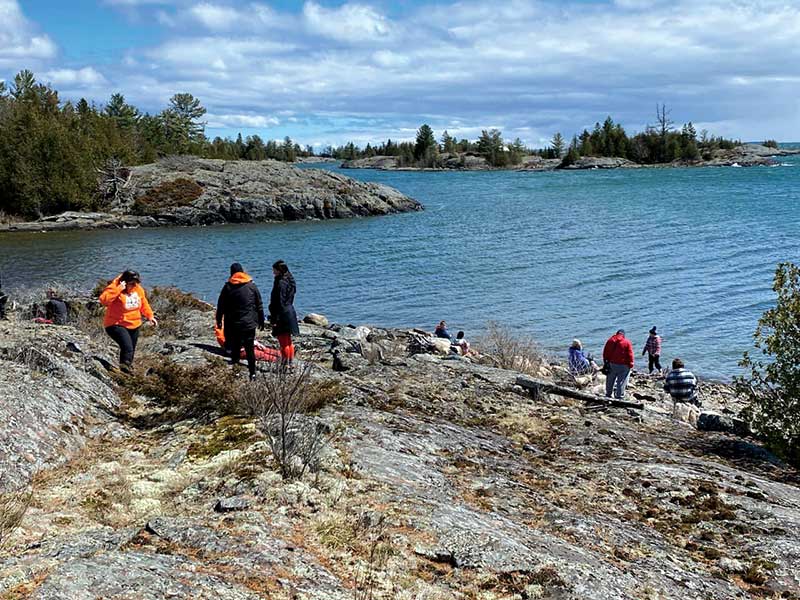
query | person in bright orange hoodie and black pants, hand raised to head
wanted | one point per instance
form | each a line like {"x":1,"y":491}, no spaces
{"x":126,"y":304}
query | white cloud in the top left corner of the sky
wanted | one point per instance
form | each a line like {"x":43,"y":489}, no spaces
{"x":19,"y":44}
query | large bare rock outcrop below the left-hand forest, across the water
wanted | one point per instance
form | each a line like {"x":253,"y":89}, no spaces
{"x":186,"y":191}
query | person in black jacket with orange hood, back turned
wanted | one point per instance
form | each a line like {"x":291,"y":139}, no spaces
{"x":240,"y":310}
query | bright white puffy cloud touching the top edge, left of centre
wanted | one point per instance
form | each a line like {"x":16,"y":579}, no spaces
{"x":352,"y":23}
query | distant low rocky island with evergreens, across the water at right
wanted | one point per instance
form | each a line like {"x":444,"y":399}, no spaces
{"x":607,"y":146}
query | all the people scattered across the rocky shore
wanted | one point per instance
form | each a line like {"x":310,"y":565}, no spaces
{"x":240,"y":312}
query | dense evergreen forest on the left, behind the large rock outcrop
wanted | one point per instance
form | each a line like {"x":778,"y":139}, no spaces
{"x":52,"y":152}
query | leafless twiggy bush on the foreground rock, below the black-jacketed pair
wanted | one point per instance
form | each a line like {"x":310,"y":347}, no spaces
{"x":281,"y":399}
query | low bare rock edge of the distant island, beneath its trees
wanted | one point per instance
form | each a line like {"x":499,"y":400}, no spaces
{"x":747,"y":155}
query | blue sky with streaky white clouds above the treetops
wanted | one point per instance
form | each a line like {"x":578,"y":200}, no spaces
{"x":328,"y":72}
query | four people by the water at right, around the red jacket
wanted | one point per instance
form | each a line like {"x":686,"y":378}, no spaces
{"x":618,"y":362}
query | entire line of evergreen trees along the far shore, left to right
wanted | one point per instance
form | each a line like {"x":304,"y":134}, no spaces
{"x":53,"y":153}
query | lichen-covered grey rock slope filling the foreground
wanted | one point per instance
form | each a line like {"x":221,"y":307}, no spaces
{"x":441,"y":479}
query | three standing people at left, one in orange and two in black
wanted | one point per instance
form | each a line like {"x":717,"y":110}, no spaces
{"x":239,"y":312}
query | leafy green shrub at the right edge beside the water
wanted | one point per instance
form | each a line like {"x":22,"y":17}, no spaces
{"x":772,"y":384}
